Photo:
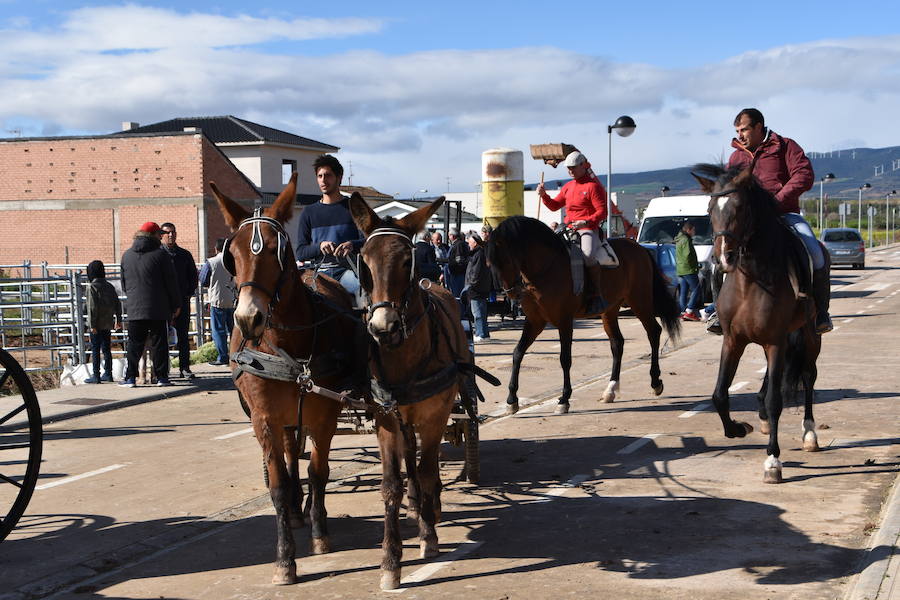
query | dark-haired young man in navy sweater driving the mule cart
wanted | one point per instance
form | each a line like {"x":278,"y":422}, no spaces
{"x":327,"y":229}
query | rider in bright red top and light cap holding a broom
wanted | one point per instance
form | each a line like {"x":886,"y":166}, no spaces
{"x":584,"y":199}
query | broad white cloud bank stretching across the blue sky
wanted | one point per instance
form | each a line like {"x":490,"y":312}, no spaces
{"x":410,"y":120}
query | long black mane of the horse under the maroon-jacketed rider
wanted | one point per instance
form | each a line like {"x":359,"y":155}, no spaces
{"x":770,"y":241}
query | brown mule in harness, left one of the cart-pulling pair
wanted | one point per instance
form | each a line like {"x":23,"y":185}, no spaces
{"x":287,"y":328}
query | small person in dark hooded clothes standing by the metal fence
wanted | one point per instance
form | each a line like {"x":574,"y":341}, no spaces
{"x":104,"y":313}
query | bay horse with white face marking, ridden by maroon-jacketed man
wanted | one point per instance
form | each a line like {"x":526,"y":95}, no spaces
{"x":759,"y":303}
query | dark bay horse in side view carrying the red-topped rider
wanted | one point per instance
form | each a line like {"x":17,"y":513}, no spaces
{"x":533,"y":264}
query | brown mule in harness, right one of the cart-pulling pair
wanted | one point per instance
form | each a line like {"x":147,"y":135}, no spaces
{"x":419,"y":343}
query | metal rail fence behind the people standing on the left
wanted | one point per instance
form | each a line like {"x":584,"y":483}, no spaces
{"x":42,"y":313}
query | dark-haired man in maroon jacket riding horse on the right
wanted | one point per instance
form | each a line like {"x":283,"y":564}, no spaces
{"x":782,"y":168}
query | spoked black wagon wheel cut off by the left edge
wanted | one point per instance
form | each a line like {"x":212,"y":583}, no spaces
{"x":20,"y":448}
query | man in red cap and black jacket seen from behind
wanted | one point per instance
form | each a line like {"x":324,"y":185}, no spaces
{"x":152,"y":300}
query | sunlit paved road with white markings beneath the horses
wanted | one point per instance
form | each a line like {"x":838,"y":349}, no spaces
{"x":642,"y":498}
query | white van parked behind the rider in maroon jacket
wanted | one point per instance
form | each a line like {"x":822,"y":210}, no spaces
{"x":663,"y":218}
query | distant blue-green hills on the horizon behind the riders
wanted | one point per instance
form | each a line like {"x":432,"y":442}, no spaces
{"x":852,"y":167}
